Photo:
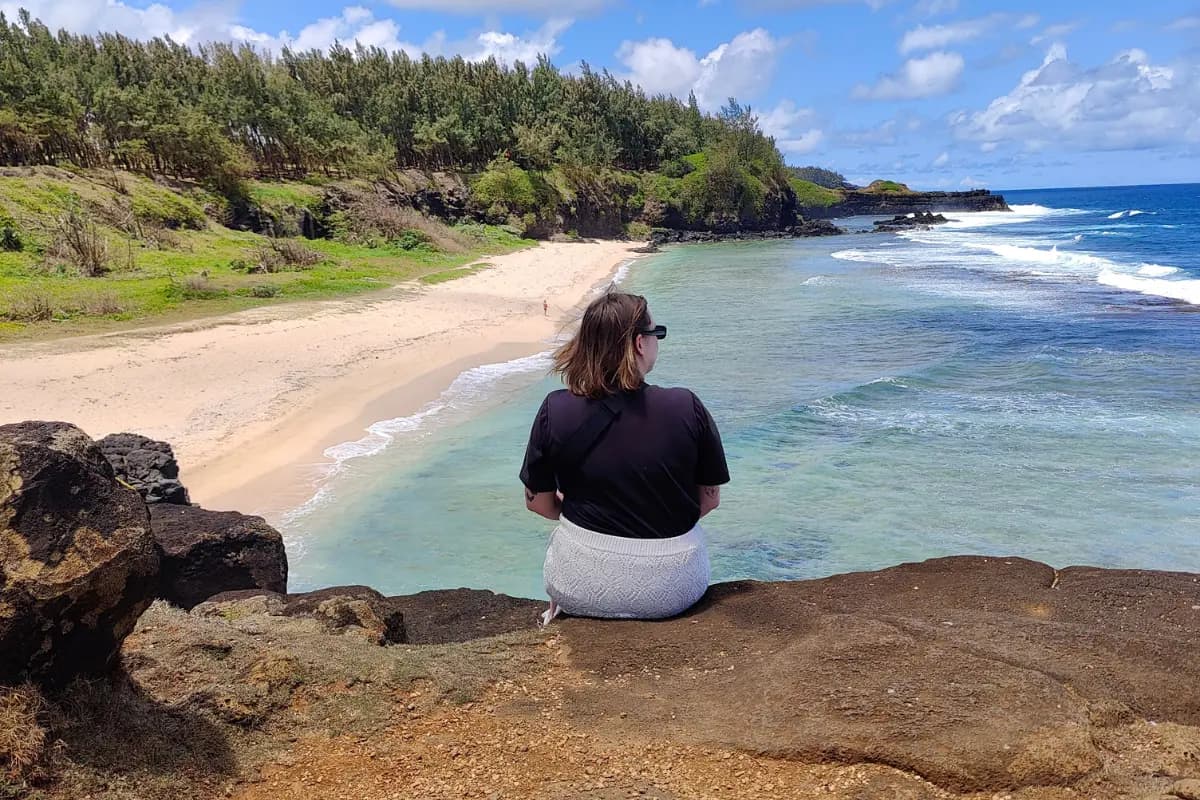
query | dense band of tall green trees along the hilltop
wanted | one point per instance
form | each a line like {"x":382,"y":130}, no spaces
{"x":220,"y":109}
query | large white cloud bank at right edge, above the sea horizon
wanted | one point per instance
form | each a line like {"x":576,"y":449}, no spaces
{"x":1126,"y":104}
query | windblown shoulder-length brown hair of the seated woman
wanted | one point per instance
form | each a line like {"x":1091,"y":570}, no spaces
{"x":602,"y":358}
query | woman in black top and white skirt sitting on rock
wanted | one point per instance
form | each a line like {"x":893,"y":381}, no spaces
{"x":627,"y":470}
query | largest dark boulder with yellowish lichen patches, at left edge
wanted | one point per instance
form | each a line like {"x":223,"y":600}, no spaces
{"x":77,"y":560}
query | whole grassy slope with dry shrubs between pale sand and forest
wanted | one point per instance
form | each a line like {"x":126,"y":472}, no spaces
{"x":94,"y":250}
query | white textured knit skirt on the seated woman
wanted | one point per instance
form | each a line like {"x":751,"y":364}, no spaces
{"x":597,"y":575}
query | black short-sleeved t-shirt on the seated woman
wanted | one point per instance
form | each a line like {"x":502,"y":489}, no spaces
{"x":640,"y":479}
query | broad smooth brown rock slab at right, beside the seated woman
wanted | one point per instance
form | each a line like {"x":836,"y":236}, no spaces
{"x":977,"y":673}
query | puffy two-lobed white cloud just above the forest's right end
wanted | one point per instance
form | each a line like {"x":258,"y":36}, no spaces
{"x":741,"y":68}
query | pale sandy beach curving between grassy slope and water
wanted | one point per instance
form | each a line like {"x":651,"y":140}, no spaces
{"x":253,"y":400}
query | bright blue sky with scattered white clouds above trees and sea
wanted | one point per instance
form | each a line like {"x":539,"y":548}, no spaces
{"x":939,"y":94}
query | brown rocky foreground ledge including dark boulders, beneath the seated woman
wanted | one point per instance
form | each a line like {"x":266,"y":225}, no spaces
{"x":962,"y":677}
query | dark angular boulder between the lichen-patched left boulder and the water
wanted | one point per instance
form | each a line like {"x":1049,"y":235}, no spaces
{"x":208,"y":552}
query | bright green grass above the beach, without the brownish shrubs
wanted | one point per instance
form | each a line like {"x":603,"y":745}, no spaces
{"x":160,"y":280}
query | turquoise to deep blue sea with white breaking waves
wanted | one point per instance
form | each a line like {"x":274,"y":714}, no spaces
{"x":1007,"y":386}
